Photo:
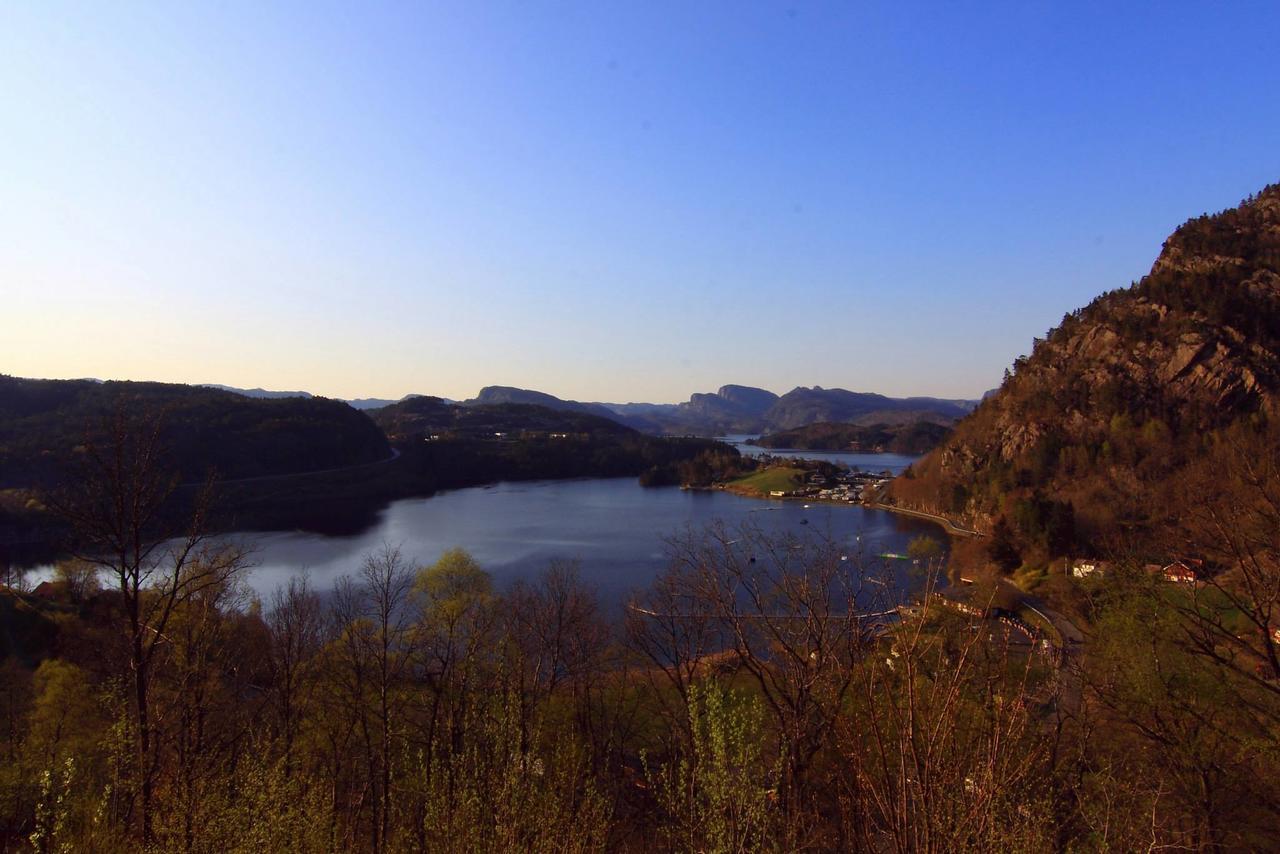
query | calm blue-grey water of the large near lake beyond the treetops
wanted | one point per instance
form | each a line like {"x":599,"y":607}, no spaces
{"x":615,"y":528}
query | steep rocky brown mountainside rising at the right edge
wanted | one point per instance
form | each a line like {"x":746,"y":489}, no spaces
{"x":1113,"y":424}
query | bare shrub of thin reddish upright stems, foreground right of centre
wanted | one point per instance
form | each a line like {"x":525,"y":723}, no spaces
{"x":944,"y":741}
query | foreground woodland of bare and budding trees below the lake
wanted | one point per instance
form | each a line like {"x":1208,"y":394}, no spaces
{"x":762,"y":695}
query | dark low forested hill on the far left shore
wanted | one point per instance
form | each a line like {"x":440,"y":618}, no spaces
{"x":43,"y":423}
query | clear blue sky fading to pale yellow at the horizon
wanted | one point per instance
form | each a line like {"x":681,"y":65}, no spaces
{"x":602,"y":200}
